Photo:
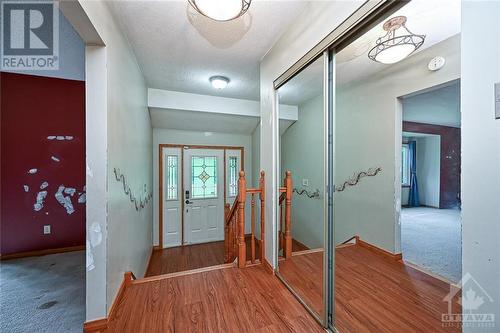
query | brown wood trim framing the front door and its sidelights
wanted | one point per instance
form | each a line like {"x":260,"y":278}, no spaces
{"x":160,"y":174}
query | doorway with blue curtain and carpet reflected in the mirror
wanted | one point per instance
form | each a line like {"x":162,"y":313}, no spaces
{"x":430,"y":180}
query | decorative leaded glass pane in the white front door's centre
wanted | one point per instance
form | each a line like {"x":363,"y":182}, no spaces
{"x":204,"y":177}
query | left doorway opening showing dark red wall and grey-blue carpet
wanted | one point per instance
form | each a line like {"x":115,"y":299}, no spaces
{"x":43,"y":191}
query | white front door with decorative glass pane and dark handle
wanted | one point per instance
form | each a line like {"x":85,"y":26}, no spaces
{"x":203,"y":195}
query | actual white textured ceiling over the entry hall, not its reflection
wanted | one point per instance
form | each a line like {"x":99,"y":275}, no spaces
{"x":179,"y":49}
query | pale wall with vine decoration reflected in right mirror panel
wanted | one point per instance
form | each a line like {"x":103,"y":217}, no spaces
{"x":368,"y":134}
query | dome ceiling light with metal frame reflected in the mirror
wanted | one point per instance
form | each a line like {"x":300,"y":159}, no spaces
{"x":393,"y":47}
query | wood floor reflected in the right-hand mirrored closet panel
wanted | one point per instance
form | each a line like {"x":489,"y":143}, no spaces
{"x":374,"y":293}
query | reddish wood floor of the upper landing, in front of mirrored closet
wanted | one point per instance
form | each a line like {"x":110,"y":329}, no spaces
{"x":222,"y":300}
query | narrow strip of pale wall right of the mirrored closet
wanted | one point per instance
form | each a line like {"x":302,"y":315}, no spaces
{"x":481,"y":152}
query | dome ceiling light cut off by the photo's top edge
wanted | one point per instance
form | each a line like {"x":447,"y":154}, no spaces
{"x":221,"y":10}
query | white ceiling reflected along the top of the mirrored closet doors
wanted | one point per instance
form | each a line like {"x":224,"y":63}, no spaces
{"x":438,"y":20}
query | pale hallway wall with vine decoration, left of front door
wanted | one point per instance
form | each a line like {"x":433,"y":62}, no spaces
{"x":126,"y":144}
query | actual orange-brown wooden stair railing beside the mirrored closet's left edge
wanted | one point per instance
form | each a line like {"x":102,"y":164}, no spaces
{"x":234,"y":226}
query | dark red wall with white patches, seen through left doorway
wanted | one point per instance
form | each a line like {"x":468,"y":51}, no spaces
{"x":32,"y":109}
